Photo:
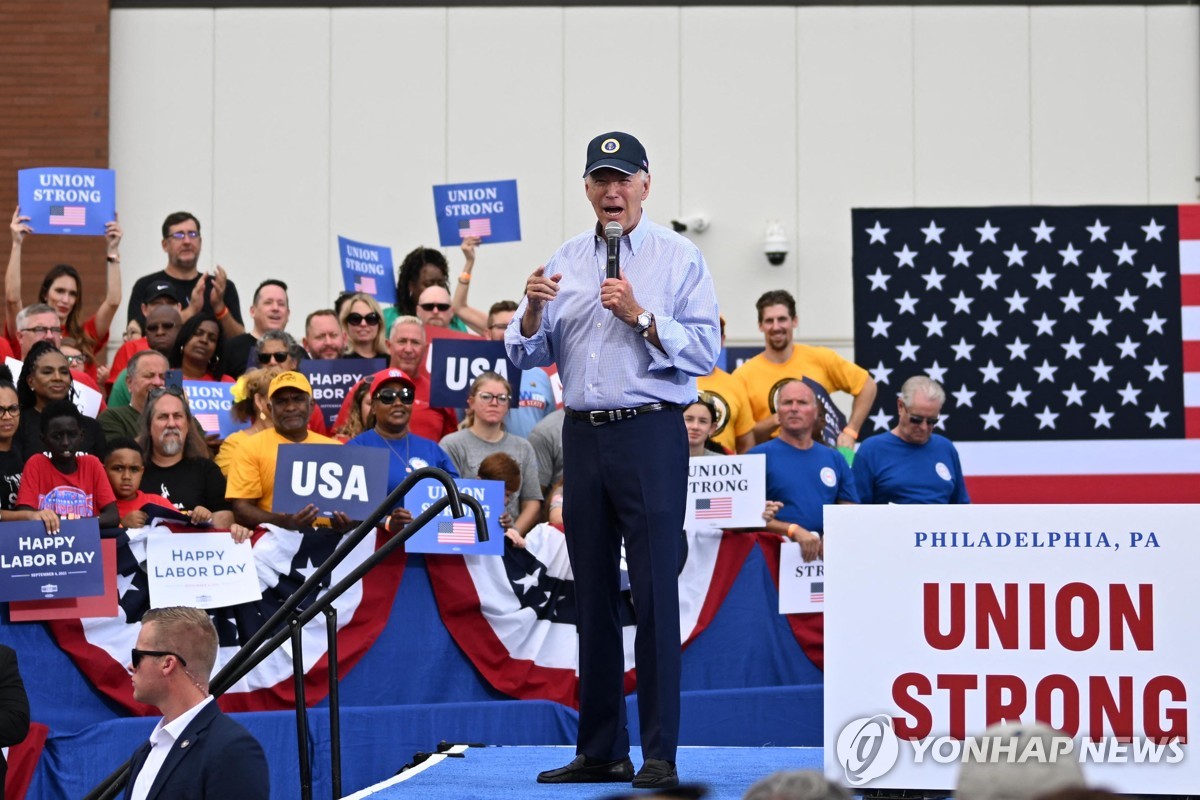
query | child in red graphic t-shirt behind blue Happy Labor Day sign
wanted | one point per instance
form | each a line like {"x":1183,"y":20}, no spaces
{"x":69,"y":483}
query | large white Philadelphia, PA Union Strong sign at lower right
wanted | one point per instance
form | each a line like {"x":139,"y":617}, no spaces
{"x":947,"y":619}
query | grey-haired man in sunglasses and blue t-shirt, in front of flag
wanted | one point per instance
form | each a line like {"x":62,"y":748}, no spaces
{"x":910,"y":464}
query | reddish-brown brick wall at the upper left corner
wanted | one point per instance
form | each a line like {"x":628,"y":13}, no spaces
{"x":55,"y":91}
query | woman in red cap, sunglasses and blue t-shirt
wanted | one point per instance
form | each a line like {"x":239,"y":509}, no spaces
{"x":392,"y":408}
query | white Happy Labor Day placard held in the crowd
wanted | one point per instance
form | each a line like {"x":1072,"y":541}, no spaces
{"x":200,"y":570}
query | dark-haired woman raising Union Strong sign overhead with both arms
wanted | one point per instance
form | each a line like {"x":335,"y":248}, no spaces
{"x":63,"y":291}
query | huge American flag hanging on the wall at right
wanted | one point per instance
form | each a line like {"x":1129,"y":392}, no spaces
{"x":1067,"y":340}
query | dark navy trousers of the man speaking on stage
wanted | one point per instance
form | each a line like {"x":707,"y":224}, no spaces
{"x":627,"y":482}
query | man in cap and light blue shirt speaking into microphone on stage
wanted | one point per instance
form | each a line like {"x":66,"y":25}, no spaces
{"x":629,"y":350}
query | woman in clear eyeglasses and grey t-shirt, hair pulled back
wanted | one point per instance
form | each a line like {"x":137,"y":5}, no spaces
{"x":484,"y":434}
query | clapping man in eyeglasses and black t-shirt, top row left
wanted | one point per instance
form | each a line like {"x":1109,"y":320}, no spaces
{"x":212,"y":292}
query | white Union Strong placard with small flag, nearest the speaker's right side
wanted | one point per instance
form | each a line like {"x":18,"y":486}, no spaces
{"x":727,"y":491}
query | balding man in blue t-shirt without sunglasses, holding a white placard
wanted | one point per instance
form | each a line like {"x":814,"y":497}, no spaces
{"x":803,"y":474}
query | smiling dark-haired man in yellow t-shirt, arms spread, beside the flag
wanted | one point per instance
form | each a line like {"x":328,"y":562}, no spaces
{"x":784,"y":360}
